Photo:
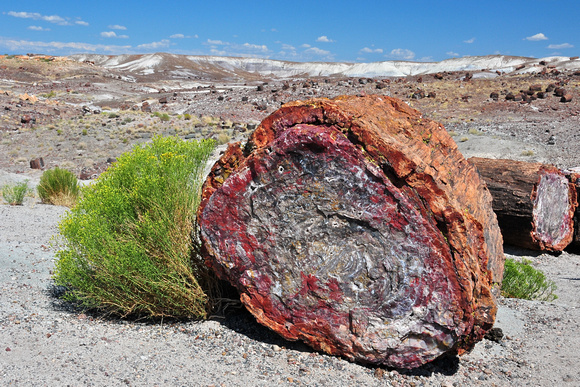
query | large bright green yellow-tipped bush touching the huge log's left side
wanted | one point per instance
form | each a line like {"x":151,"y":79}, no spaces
{"x":130,"y":246}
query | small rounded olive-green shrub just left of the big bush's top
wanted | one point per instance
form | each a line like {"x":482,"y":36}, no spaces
{"x":59,"y":187}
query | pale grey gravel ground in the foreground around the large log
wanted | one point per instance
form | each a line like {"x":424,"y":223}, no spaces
{"x":45,"y":342}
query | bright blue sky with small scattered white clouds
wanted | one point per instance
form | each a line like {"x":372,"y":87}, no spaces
{"x":295,"y":30}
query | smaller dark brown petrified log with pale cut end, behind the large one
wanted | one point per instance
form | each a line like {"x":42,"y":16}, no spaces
{"x":534,"y":202}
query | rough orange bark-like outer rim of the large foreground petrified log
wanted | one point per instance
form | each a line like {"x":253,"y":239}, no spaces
{"x":478,"y":259}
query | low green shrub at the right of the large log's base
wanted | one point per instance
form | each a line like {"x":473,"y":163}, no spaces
{"x":521,"y":280}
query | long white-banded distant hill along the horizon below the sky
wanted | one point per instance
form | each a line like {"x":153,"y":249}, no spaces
{"x":171,"y":66}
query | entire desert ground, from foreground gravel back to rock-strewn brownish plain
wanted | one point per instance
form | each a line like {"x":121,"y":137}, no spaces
{"x":85,"y":116}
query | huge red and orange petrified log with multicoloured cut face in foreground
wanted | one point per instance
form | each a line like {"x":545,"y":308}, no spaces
{"x":356,"y":225}
